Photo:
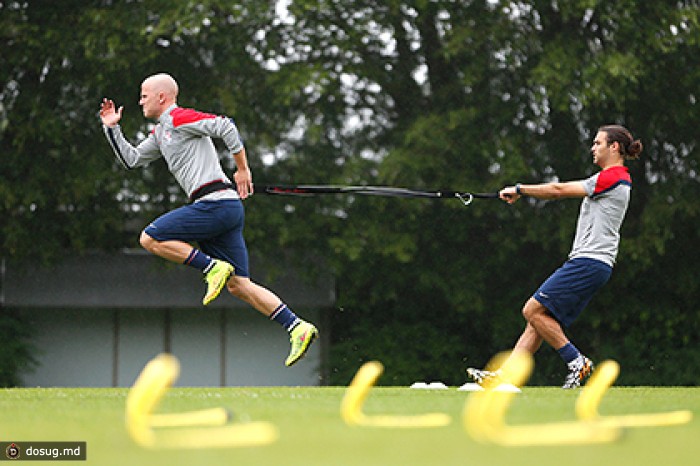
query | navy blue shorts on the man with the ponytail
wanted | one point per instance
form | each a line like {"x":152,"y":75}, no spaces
{"x":569,"y":289}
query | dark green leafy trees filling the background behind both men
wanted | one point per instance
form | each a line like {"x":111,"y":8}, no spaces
{"x":428,"y":94}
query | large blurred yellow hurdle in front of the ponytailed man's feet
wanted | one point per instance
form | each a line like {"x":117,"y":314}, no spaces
{"x":484,"y":414}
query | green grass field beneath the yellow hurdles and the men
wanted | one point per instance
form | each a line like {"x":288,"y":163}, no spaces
{"x":312,"y":432}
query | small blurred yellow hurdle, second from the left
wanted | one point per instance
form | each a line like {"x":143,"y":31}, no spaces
{"x":356,"y":394}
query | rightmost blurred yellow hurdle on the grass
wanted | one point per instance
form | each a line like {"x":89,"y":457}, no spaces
{"x":589,"y":400}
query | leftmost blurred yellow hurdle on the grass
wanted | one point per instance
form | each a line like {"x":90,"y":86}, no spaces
{"x":150,"y":387}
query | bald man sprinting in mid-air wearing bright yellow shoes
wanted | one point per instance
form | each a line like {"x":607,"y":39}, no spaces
{"x":215,"y":216}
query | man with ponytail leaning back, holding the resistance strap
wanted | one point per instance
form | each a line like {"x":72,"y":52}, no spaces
{"x":564,"y":295}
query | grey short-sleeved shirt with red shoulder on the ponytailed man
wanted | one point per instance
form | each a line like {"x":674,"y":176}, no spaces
{"x":601,"y":215}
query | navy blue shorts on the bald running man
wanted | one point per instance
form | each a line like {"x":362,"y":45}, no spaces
{"x":216,"y":226}
